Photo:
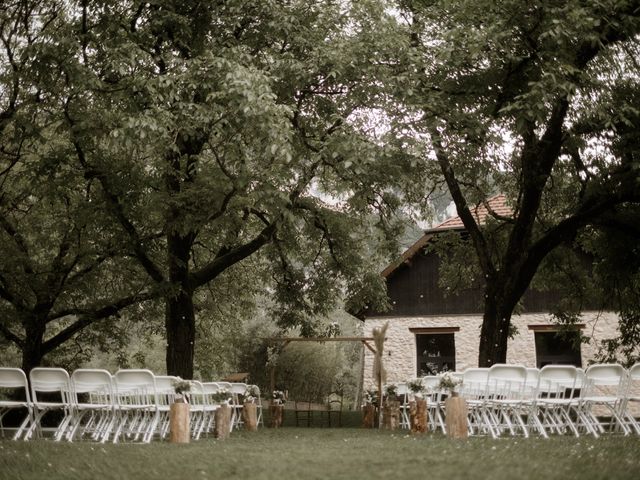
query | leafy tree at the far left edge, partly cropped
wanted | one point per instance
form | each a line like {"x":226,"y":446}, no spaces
{"x":59,"y":258}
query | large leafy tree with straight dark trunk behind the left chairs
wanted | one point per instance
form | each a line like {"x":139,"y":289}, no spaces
{"x":213,"y":130}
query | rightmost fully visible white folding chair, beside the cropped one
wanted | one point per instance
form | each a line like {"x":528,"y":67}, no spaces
{"x":604,"y":395}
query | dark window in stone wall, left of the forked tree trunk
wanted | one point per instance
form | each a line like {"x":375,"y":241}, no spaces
{"x":436,"y":351}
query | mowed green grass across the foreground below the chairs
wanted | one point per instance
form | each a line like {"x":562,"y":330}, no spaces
{"x":347,"y":453}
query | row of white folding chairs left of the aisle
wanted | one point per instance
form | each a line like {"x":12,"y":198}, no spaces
{"x":92,"y":403}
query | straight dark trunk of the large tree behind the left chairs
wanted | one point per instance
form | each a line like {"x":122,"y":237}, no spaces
{"x":180,"y":320}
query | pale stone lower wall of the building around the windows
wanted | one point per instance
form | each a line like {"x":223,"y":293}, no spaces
{"x":400,"y":345}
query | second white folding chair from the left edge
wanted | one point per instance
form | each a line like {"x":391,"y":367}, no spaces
{"x":50,"y":392}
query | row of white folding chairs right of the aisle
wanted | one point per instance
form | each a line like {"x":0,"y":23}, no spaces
{"x":556,"y":399}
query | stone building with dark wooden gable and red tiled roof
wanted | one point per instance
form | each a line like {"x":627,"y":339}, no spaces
{"x":430,"y":332}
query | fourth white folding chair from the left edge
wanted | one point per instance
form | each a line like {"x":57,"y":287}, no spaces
{"x":136,"y":404}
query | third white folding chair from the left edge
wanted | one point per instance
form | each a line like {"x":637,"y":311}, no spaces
{"x":93,"y":404}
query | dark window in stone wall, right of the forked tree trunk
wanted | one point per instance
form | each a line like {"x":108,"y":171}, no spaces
{"x":553,"y":347}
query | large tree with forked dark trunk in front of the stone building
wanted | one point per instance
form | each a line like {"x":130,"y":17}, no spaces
{"x":537,"y":101}
